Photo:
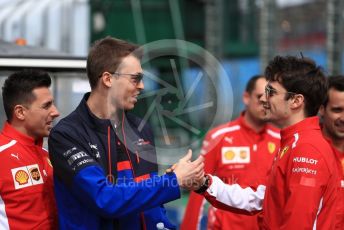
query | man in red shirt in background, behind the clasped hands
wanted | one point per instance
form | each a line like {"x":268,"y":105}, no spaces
{"x":240,"y":151}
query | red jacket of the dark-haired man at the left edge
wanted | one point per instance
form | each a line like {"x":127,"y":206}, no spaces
{"x":26,"y":183}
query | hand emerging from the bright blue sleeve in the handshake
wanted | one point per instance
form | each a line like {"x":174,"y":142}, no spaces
{"x":189,"y":173}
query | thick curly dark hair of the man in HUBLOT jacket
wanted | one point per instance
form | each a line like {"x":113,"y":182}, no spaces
{"x":301,"y":76}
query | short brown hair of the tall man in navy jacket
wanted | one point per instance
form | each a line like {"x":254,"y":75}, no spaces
{"x":106,"y":54}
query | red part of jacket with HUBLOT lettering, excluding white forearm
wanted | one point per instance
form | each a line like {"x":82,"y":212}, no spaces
{"x":302,"y":187}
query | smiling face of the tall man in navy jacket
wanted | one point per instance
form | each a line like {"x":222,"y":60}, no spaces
{"x":125,"y":87}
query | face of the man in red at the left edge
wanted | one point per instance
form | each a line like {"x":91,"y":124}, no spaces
{"x":39,"y":114}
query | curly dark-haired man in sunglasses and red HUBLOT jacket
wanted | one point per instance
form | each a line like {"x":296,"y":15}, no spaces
{"x":302,"y":186}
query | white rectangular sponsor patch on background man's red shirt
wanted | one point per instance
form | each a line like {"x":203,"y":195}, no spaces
{"x":233,"y":155}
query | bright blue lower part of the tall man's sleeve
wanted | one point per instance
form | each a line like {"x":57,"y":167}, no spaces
{"x":121,"y":200}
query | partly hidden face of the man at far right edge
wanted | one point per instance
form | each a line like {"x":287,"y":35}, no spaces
{"x":333,"y":115}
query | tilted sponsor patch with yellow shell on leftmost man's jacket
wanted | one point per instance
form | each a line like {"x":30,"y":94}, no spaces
{"x":26,"y":176}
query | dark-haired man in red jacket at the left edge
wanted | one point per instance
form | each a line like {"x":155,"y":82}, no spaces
{"x":26,"y":175}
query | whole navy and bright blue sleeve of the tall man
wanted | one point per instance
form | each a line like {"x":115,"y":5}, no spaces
{"x":77,"y":168}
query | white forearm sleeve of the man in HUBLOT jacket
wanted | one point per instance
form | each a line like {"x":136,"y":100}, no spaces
{"x":236,"y":196}
